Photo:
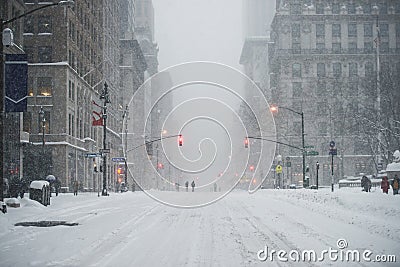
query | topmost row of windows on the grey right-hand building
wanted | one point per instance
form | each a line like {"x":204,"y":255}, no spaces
{"x":349,"y":8}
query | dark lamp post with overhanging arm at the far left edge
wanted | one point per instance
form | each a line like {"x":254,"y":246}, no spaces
{"x":3,"y":23}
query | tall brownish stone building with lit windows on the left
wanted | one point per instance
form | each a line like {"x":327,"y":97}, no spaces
{"x":72,"y":52}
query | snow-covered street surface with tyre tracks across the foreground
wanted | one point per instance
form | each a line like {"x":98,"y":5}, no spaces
{"x":131,"y":229}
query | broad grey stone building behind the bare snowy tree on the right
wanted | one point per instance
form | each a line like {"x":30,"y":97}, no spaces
{"x":324,"y":58}
